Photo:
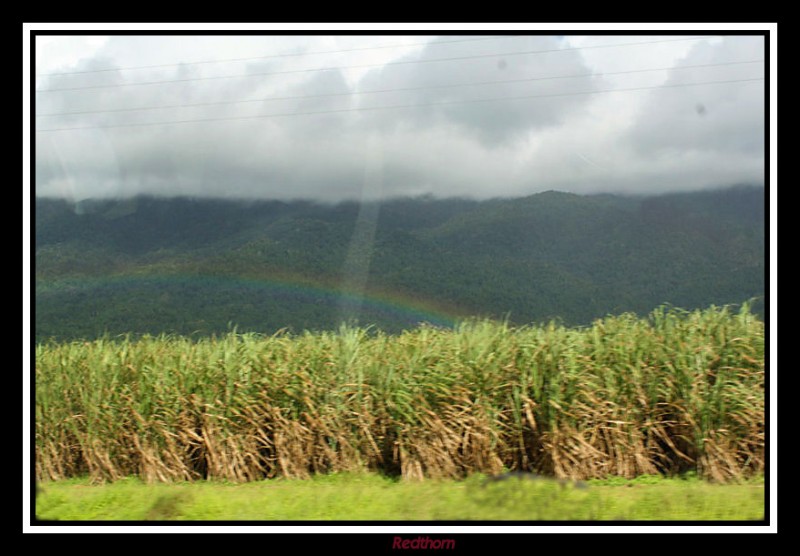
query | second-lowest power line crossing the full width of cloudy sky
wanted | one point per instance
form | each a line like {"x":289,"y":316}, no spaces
{"x":401,"y":89}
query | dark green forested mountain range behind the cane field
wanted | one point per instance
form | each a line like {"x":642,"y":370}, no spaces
{"x":149,"y":265}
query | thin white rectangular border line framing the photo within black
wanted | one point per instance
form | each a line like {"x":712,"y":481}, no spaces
{"x":361,"y":27}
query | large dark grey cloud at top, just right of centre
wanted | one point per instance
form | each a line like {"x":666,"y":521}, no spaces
{"x":506,"y":75}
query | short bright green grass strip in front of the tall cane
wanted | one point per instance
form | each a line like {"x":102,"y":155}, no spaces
{"x":369,"y":497}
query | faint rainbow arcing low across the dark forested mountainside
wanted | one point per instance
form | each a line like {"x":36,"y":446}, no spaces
{"x":402,"y":309}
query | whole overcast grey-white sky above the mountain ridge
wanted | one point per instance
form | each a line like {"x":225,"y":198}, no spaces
{"x":330,"y":117}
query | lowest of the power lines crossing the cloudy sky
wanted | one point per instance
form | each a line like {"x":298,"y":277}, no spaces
{"x":400,"y":106}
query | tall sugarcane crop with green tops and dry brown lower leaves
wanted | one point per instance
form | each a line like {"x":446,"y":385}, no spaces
{"x":673,"y":392}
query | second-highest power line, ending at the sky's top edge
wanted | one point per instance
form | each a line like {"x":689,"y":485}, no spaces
{"x":398,"y":62}
